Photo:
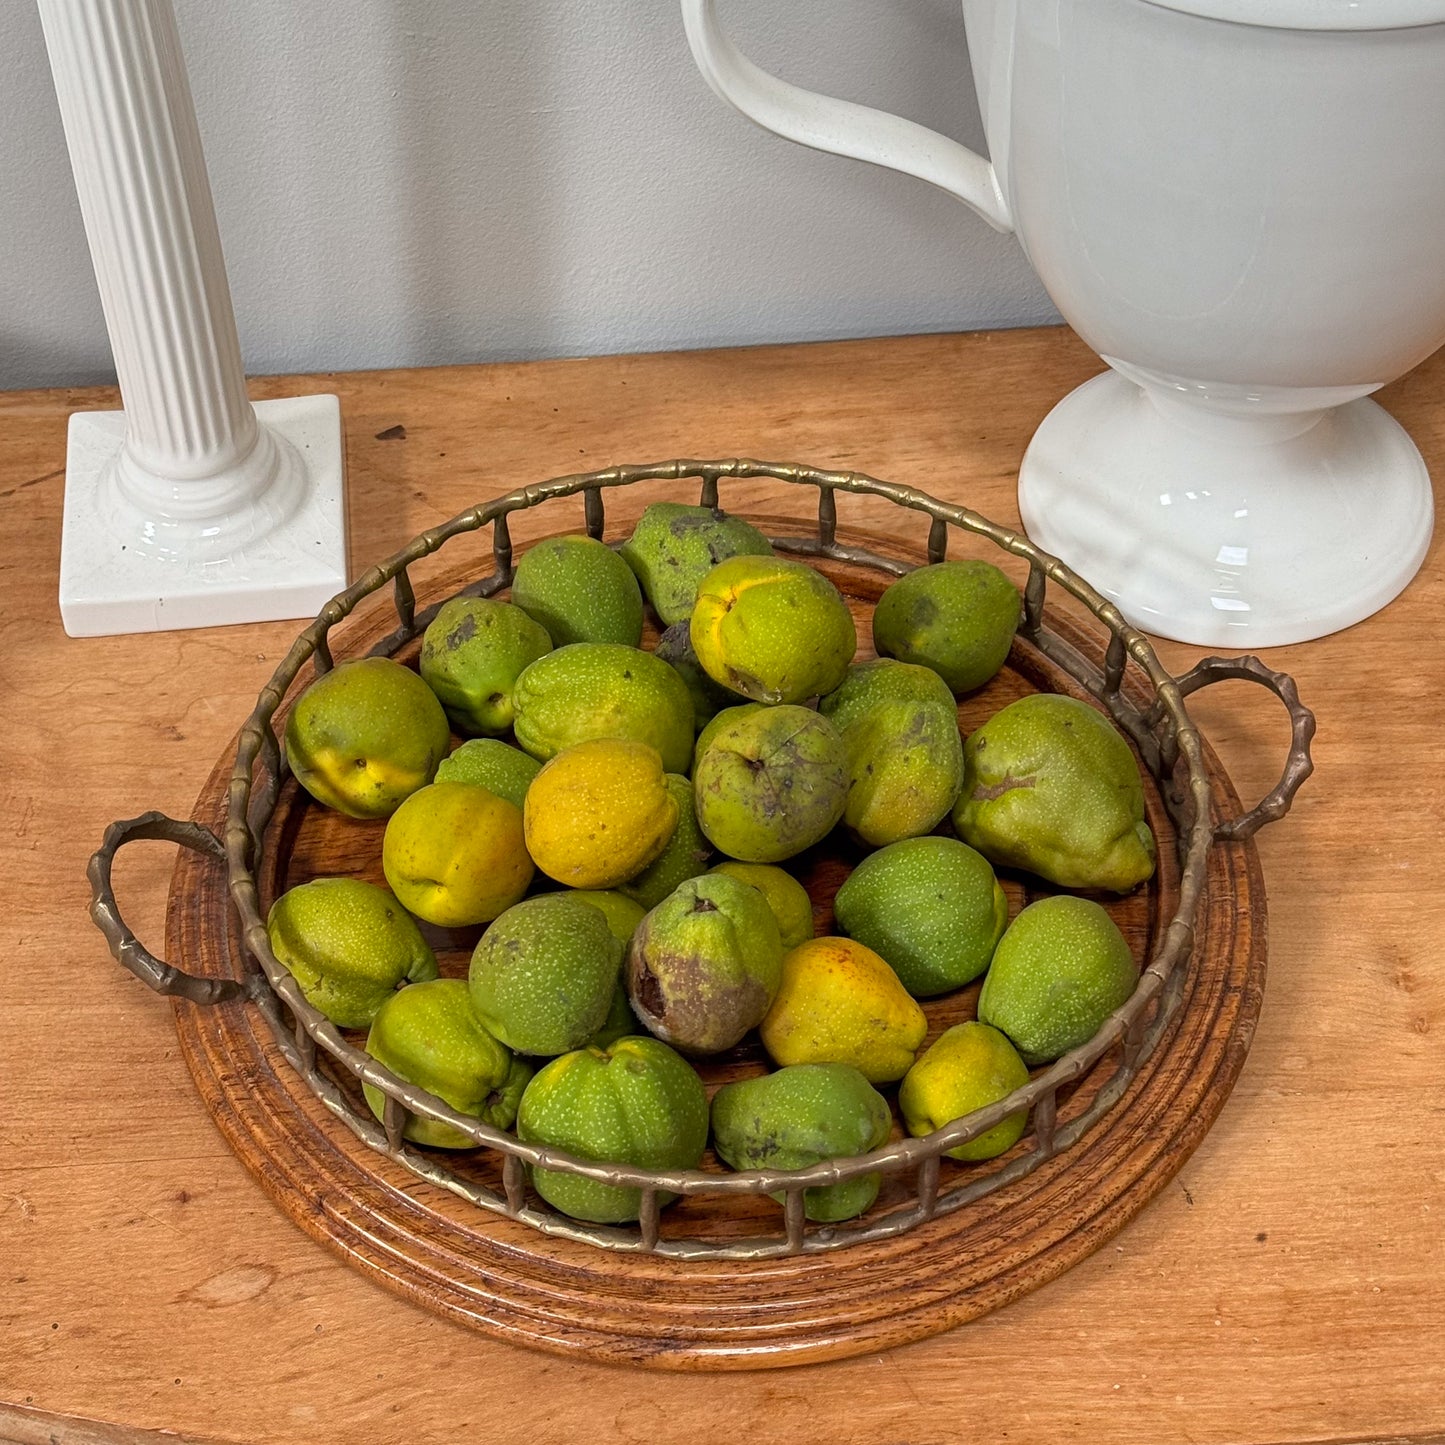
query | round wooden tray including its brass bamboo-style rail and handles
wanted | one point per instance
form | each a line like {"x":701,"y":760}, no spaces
{"x":946,"y":1242}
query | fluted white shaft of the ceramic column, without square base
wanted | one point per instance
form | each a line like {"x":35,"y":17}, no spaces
{"x":151,"y":223}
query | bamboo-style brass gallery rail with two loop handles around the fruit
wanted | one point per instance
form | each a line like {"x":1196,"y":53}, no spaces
{"x":1163,"y":732}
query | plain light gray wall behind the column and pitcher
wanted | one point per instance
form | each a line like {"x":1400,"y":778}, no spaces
{"x":413,"y":183}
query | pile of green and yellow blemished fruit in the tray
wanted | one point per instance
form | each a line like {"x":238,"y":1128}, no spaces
{"x":622,"y":823}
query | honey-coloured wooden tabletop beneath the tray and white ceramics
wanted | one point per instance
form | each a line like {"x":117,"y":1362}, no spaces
{"x":1288,"y":1287}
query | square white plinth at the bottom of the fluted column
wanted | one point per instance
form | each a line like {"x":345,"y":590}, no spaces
{"x":157,"y":577}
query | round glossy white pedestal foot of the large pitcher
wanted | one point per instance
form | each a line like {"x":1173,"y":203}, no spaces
{"x":1241,"y":531}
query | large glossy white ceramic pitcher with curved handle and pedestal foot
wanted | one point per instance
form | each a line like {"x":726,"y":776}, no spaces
{"x":1241,"y":204}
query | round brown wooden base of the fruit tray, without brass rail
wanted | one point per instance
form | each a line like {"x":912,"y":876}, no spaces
{"x":517,"y":1284}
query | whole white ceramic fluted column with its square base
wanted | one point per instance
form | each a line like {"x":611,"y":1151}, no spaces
{"x":193,"y":506}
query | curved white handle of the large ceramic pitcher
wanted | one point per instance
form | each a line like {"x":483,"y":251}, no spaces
{"x":840,"y":126}
